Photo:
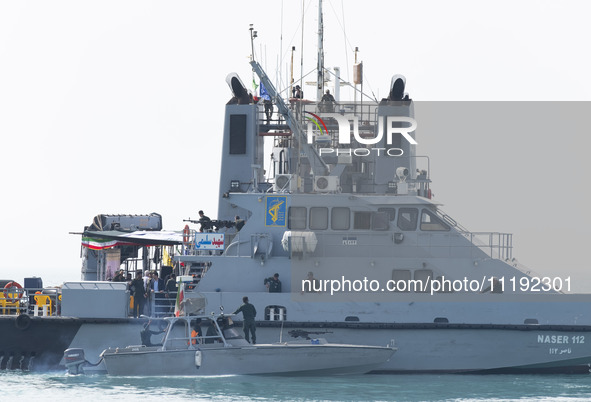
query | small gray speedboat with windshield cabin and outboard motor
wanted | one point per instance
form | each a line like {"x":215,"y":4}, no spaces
{"x":209,"y":345}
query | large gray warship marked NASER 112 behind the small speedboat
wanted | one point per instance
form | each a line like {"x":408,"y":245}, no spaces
{"x":346,"y":219}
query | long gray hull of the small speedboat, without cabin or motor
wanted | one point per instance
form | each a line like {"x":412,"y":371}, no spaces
{"x":277,"y":359}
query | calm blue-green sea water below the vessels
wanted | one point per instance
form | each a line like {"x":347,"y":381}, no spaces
{"x":63,"y":387}
